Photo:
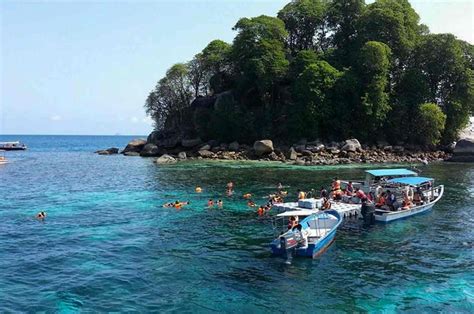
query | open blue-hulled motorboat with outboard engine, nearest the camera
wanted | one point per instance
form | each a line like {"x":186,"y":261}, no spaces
{"x":318,"y":231}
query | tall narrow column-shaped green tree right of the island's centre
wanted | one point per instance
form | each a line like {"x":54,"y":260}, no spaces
{"x":374,"y":66}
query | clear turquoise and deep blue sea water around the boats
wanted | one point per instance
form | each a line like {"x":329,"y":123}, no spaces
{"x":108,"y":245}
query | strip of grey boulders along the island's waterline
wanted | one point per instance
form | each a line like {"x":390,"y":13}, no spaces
{"x":302,"y":153}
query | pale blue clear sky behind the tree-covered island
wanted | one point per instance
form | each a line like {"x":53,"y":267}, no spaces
{"x":86,"y":67}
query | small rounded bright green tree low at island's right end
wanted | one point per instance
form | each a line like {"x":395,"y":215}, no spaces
{"x":431,"y":121}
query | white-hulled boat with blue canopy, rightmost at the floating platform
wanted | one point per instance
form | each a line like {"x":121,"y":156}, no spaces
{"x":431,"y":196}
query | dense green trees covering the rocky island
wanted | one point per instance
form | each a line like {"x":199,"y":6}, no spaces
{"x":327,"y":69}
